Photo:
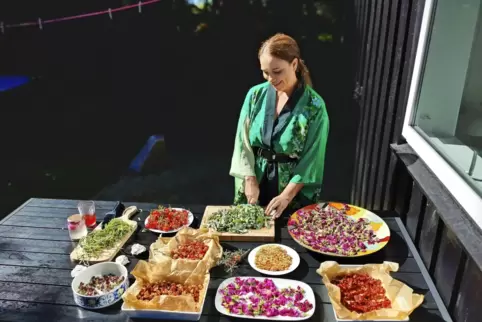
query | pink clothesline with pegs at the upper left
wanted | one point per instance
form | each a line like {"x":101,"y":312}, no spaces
{"x":40,"y":23}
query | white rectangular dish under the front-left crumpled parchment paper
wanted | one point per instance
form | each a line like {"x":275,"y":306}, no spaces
{"x":164,"y":314}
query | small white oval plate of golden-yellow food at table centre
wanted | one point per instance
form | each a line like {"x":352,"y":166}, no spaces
{"x":274,"y":259}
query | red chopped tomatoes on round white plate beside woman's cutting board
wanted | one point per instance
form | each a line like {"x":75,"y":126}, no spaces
{"x":167,"y":219}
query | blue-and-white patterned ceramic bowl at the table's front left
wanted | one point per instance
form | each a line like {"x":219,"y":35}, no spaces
{"x":104,"y":300}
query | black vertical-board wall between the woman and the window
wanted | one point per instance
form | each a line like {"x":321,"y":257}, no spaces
{"x":387,"y":37}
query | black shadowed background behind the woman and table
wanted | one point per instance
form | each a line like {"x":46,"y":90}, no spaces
{"x":100,"y":88}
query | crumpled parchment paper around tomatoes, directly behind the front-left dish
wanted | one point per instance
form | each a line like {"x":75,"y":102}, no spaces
{"x":160,"y":252}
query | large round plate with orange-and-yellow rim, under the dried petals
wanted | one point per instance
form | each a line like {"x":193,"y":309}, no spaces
{"x":378,"y":225}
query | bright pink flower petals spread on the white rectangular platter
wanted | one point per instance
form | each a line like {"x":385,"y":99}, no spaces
{"x":249,"y":296}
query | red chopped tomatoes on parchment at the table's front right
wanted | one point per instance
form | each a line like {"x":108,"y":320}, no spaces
{"x":361,"y":293}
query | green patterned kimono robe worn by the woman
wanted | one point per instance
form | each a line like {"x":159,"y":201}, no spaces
{"x":300,"y":132}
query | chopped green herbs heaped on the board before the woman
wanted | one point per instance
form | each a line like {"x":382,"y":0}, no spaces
{"x":239,"y":219}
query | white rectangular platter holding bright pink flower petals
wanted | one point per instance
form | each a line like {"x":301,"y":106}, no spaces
{"x":280,"y":283}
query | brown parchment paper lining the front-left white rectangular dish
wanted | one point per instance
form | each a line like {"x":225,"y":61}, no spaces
{"x":145,"y":273}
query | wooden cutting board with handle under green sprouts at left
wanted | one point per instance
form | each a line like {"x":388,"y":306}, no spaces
{"x":109,"y":254}
